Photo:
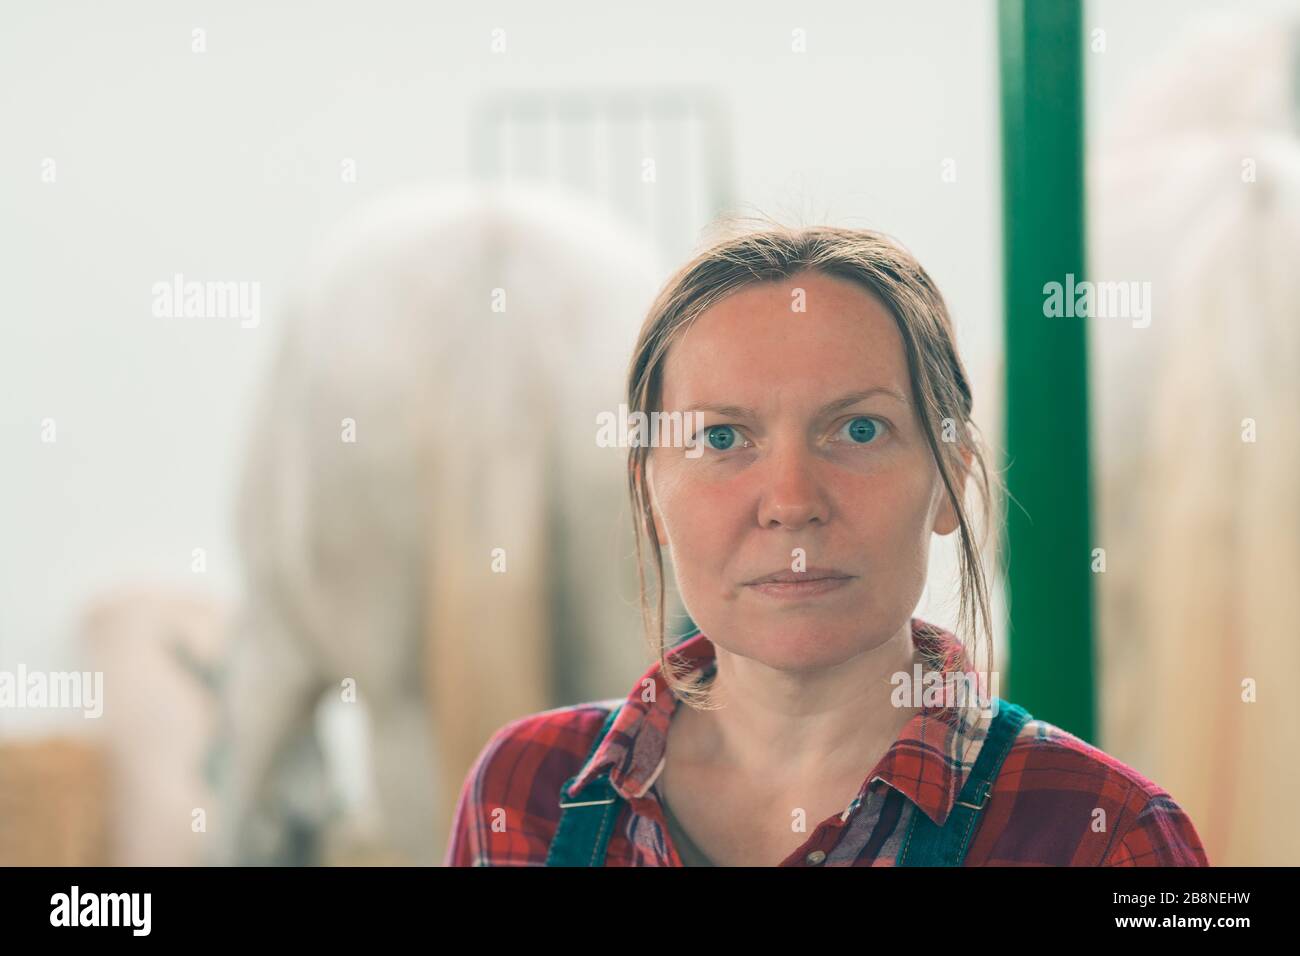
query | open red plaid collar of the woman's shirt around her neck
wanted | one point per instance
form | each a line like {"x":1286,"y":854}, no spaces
{"x":929,"y":762}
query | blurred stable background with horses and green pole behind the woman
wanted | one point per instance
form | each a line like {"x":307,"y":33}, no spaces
{"x":279,"y":285}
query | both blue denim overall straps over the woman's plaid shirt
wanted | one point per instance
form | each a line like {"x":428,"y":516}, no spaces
{"x":587,"y":820}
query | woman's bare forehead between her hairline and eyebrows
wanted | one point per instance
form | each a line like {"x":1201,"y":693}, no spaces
{"x":753,"y":347}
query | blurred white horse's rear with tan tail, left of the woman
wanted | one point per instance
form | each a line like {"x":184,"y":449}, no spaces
{"x":424,"y":512}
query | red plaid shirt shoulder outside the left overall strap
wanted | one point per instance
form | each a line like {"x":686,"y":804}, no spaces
{"x":509,"y":806}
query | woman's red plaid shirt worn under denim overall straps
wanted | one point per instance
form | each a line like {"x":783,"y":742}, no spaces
{"x":1043,"y":810}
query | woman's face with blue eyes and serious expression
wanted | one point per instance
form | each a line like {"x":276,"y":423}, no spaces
{"x":855,"y":486}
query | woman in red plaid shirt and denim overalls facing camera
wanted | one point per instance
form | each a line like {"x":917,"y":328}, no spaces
{"x":835,"y":438}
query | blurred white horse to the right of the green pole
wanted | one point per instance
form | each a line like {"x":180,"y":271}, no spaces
{"x":1197,"y":189}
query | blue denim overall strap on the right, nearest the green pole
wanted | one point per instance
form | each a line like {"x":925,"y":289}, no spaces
{"x":928,"y":845}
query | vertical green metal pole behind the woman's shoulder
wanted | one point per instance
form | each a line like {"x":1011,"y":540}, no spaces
{"x":1048,"y":550}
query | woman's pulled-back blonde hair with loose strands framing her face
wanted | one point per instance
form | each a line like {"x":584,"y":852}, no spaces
{"x":939,"y":383}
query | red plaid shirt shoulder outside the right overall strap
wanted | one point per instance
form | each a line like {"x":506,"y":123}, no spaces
{"x":1099,"y":810}
